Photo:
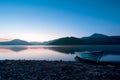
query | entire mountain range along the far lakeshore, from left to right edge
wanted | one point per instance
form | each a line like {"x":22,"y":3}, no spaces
{"x":95,"y":39}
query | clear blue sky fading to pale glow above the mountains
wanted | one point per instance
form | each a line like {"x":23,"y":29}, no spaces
{"x":43,"y":20}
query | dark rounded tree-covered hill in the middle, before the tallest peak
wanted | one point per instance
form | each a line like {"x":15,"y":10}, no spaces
{"x":66,"y":41}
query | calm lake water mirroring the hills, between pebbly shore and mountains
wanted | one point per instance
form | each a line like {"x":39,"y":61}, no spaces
{"x":65,"y":53}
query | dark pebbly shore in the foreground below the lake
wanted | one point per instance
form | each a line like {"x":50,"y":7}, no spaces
{"x":57,"y":70}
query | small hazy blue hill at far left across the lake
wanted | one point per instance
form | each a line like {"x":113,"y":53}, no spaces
{"x":15,"y":42}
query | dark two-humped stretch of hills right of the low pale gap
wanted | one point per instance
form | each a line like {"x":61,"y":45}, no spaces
{"x":95,"y":39}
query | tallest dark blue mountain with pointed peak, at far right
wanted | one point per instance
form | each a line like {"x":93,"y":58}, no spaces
{"x":101,"y":39}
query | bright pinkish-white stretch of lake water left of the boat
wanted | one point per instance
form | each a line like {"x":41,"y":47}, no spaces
{"x":33,"y":53}
